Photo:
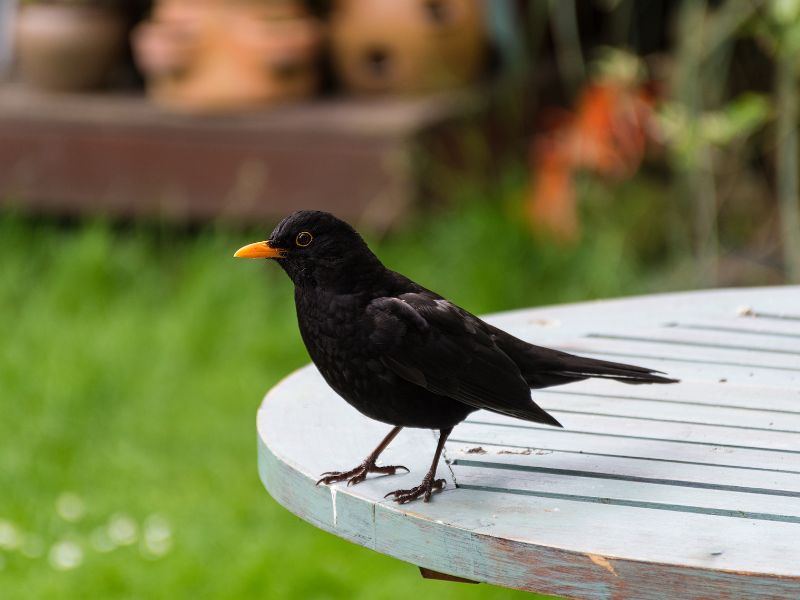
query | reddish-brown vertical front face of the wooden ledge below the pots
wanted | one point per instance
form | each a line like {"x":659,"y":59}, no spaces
{"x":184,"y":174}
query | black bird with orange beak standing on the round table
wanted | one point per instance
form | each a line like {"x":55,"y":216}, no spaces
{"x":402,"y":354}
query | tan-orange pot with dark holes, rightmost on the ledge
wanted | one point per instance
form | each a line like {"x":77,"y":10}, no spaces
{"x":408,"y":45}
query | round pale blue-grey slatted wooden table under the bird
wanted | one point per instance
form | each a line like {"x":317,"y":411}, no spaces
{"x":689,"y":490}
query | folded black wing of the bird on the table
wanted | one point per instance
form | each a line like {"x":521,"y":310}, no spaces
{"x":432,"y":343}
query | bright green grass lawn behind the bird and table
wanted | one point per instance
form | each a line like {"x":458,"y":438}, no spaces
{"x":131,"y":368}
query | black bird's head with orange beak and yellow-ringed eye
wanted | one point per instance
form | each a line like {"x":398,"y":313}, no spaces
{"x":314,"y":247}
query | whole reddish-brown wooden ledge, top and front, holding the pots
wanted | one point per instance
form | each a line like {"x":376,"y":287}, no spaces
{"x":366,"y":160}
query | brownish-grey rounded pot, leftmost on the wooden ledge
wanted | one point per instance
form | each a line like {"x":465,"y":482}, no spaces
{"x":63,"y":47}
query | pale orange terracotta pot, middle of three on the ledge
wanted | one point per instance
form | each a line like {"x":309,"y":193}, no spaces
{"x":219,"y":55}
